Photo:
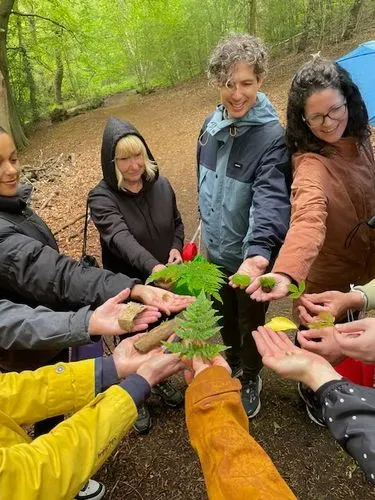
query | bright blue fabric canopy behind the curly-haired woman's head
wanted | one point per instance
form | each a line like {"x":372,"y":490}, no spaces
{"x":361,"y":65}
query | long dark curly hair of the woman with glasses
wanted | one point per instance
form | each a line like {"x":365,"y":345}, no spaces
{"x":319,"y":74}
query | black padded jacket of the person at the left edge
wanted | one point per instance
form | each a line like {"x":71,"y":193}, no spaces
{"x":33,"y":272}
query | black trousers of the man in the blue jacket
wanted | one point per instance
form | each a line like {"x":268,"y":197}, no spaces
{"x":241,"y":315}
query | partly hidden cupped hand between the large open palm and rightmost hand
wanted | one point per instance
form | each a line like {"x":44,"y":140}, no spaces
{"x":322,"y":341}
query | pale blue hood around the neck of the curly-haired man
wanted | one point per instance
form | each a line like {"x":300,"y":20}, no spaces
{"x":263,"y":112}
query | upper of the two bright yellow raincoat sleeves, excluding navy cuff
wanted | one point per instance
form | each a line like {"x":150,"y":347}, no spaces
{"x":30,"y":396}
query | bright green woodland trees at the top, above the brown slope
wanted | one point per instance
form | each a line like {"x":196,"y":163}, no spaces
{"x":59,"y":55}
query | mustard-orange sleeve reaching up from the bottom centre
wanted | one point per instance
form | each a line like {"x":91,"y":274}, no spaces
{"x":234,"y":466}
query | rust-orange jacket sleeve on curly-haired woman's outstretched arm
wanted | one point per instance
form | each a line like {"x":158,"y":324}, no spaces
{"x":307,"y":230}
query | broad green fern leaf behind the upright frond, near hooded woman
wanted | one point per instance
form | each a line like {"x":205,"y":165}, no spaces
{"x":192,"y":278}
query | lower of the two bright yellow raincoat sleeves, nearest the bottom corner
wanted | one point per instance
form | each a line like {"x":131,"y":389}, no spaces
{"x":55,"y":466}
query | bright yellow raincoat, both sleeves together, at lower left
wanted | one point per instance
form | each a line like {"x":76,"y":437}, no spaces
{"x":56,"y":465}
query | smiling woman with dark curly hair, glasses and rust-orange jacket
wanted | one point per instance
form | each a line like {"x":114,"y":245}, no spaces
{"x":333,"y":191}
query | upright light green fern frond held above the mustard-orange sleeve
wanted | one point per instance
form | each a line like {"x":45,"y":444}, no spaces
{"x":197,"y":325}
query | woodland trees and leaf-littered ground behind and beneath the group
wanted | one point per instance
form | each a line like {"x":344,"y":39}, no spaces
{"x":144,"y":61}
